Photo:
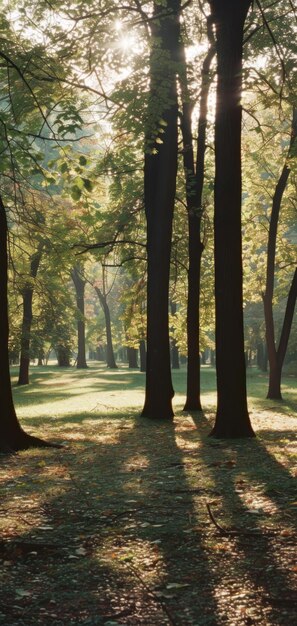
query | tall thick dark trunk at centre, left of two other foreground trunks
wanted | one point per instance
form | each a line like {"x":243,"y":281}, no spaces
{"x":159,"y":191}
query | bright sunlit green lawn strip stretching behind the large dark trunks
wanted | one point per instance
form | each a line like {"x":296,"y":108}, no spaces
{"x":57,"y":391}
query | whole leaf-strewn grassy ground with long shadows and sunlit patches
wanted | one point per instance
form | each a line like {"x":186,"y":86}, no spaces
{"x":142,"y":523}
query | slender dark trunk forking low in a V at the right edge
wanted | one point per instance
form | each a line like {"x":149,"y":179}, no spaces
{"x":276,"y":356}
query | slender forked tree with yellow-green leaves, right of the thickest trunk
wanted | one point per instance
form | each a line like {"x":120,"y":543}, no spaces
{"x":272,"y":187}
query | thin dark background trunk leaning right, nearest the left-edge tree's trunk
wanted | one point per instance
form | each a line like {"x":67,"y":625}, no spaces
{"x":27,"y":295}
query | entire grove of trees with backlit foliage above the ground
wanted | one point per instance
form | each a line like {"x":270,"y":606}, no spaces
{"x":148,"y":195}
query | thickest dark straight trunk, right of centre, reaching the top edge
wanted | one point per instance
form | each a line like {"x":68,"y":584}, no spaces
{"x":232,"y":418}
